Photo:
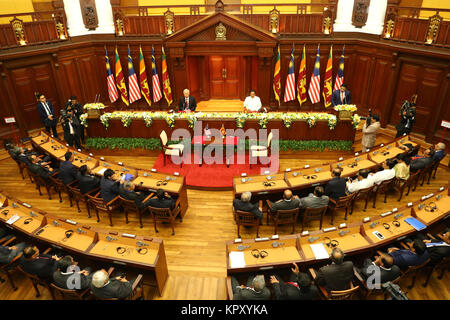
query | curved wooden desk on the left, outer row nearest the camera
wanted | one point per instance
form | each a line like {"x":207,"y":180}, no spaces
{"x":132,"y":253}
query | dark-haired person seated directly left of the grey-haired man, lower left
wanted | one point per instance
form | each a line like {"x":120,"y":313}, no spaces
{"x":64,"y":278}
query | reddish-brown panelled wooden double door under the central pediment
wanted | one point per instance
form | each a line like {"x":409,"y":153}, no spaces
{"x":225,"y":77}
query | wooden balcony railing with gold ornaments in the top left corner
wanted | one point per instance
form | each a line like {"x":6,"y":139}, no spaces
{"x":32,"y":28}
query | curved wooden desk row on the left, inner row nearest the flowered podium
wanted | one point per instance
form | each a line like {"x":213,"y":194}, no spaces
{"x":148,"y":180}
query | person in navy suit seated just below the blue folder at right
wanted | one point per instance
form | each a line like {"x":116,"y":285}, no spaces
{"x":415,"y":256}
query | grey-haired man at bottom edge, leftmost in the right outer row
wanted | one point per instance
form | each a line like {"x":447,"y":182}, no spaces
{"x":255,"y":290}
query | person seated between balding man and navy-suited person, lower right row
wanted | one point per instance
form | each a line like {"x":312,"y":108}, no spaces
{"x":383,"y":265}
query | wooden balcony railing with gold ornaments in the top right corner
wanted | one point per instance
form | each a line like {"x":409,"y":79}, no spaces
{"x":415,"y":25}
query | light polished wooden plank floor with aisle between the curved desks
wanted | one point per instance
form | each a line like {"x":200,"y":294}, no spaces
{"x":196,"y":254}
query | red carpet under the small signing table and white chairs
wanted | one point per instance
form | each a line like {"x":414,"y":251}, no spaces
{"x":212,"y":175}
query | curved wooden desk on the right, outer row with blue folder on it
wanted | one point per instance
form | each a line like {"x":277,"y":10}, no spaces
{"x":357,"y":238}
